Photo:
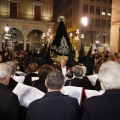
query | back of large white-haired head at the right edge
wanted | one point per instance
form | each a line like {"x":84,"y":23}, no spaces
{"x":109,"y":75}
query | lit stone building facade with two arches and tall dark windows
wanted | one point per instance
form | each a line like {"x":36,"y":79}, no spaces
{"x":30,"y":18}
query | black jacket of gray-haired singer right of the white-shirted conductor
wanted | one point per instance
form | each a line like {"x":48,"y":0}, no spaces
{"x":79,"y":82}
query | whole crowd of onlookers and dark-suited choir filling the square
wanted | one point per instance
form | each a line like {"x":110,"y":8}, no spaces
{"x":52,"y":76}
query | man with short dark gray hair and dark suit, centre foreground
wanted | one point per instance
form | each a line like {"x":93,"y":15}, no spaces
{"x":54,"y":105}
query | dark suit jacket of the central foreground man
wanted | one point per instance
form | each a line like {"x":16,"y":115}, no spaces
{"x":54,"y":106}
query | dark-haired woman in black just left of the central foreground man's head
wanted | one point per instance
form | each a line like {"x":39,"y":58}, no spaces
{"x":42,"y":73}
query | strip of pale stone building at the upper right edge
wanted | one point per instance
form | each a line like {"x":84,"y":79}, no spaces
{"x":115,"y":27}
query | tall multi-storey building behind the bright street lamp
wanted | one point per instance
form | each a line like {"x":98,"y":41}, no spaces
{"x":96,"y":32}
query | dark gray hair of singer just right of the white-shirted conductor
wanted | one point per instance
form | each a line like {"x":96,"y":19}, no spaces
{"x":77,"y":71}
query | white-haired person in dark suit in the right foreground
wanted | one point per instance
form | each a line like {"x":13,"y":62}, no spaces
{"x":107,"y":105}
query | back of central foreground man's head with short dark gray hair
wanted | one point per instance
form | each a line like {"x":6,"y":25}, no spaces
{"x":55,"y":80}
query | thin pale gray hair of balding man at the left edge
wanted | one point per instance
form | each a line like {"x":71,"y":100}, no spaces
{"x":5,"y":70}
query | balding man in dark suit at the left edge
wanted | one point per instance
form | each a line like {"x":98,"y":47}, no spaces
{"x":9,"y":104}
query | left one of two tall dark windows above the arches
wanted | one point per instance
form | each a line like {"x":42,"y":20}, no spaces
{"x":13,"y":10}
